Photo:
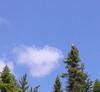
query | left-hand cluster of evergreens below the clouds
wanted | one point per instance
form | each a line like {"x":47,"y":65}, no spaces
{"x":8,"y":83}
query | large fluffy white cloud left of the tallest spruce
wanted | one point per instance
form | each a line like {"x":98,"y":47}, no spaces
{"x":40,"y":61}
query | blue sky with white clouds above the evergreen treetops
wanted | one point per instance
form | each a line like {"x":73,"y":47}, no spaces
{"x":36,"y":36}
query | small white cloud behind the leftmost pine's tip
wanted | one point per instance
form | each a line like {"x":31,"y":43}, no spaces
{"x":3,"y":63}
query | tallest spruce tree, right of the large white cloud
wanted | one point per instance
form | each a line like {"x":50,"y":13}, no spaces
{"x":76,"y":78}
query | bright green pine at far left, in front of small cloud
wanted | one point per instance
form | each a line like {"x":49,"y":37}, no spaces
{"x":7,"y":81}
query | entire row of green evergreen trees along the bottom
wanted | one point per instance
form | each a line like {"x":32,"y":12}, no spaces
{"x":75,"y":77}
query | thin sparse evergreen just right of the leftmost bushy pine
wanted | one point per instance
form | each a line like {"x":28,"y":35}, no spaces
{"x":23,"y":84}
